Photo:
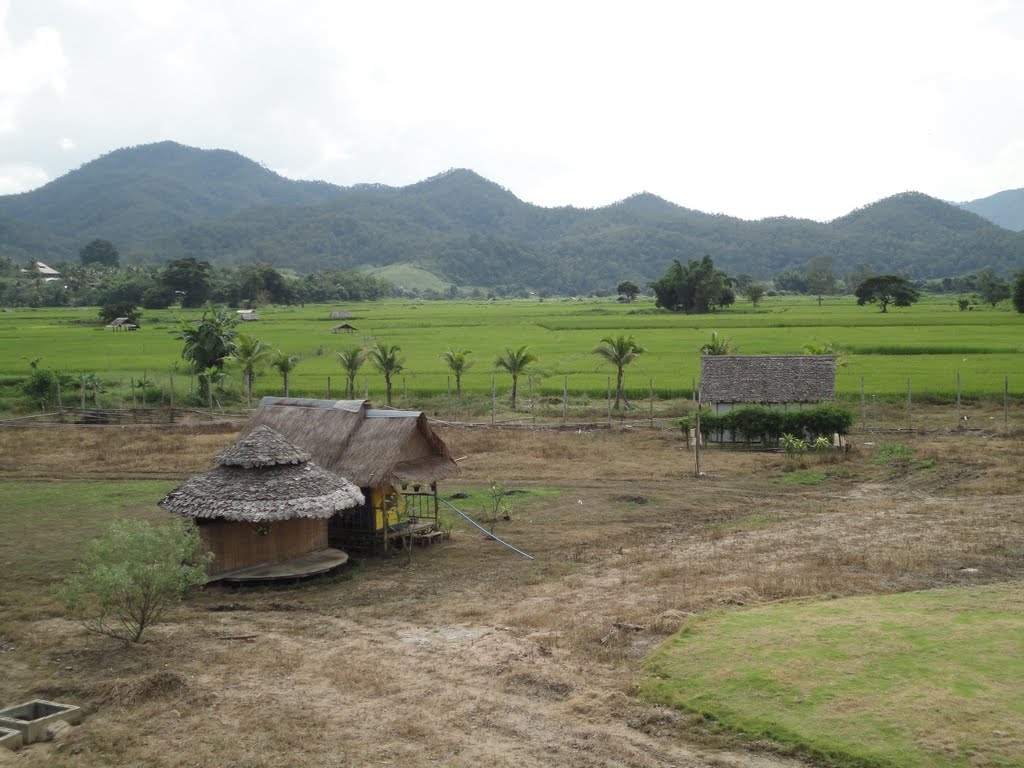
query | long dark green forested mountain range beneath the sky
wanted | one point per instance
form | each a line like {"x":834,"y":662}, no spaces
{"x":167,"y":201}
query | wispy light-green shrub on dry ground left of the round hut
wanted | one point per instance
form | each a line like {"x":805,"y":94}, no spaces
{"x":133,"y":575}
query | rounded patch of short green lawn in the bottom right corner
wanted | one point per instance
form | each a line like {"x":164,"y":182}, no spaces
{"x":919,"y":680}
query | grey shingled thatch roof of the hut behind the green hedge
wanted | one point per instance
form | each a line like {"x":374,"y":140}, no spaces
{"x":767,"y":379}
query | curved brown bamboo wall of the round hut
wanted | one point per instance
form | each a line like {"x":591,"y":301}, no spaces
{"x":240,"y":545}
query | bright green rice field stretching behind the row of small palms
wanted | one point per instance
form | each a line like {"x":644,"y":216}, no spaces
{"x":928,"y":345}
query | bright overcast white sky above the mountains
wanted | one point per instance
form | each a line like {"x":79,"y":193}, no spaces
{"x":748,"y":109}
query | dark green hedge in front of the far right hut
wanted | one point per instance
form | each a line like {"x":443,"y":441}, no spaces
{"x":760,"y":422}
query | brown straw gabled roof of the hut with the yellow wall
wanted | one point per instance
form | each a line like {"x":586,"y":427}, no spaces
{"x":367,"y":446}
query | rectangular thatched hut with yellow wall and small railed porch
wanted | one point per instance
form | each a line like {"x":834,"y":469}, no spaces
{"x":394,"y":457}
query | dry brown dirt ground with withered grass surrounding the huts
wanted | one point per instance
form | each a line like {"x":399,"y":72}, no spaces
{"x":472,"y":656}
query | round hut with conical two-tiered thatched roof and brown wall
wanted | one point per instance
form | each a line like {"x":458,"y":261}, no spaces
{"x":265,"y":511}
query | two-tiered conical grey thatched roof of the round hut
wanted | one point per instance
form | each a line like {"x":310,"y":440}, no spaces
{"x":263,"y":478}
